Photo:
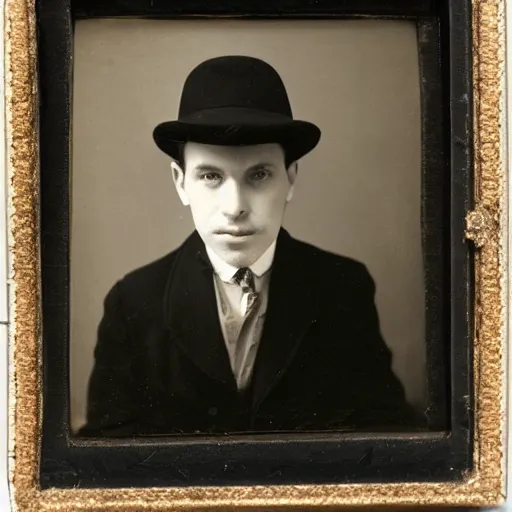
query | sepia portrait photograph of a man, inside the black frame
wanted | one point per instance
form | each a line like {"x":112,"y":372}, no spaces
{"x":246,"y":235}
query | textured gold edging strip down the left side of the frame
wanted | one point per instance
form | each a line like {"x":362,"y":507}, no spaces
{"x":22,"y":171}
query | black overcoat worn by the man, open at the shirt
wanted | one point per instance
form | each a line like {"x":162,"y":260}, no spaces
{"x":161,"y":366}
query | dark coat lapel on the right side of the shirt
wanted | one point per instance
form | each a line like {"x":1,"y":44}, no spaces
{"x":291,"y":309}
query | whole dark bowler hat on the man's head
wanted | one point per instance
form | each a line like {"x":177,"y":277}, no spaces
{"x":236,"y":101}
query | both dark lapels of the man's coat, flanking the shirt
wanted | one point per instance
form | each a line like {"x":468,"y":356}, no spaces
{"x":191,"y":313}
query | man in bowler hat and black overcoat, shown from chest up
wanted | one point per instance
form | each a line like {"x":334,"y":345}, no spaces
{"x":241,"y":328}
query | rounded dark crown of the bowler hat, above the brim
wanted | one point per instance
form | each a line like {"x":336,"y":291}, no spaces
{"x":234,"y":81}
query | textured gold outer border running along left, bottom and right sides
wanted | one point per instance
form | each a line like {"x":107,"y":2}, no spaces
{"x":485,"y":225}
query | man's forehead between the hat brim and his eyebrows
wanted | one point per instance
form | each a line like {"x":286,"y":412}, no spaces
{"x":232,"y":157}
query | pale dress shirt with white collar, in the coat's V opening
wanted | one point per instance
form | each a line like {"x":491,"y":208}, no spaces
{"x":241,"y":329}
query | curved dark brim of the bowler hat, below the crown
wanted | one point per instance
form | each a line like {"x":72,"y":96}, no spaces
{"x":238,"y":127}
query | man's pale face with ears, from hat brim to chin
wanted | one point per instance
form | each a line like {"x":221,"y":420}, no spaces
{"x":237,"y":196}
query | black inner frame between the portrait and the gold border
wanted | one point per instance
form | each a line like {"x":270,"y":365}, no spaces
{"x":442,"y":454}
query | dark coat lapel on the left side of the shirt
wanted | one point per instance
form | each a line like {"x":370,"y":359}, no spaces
{"x":190,"y":309}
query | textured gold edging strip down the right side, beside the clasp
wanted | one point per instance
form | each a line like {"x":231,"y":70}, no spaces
{"x":490,"y":190}
